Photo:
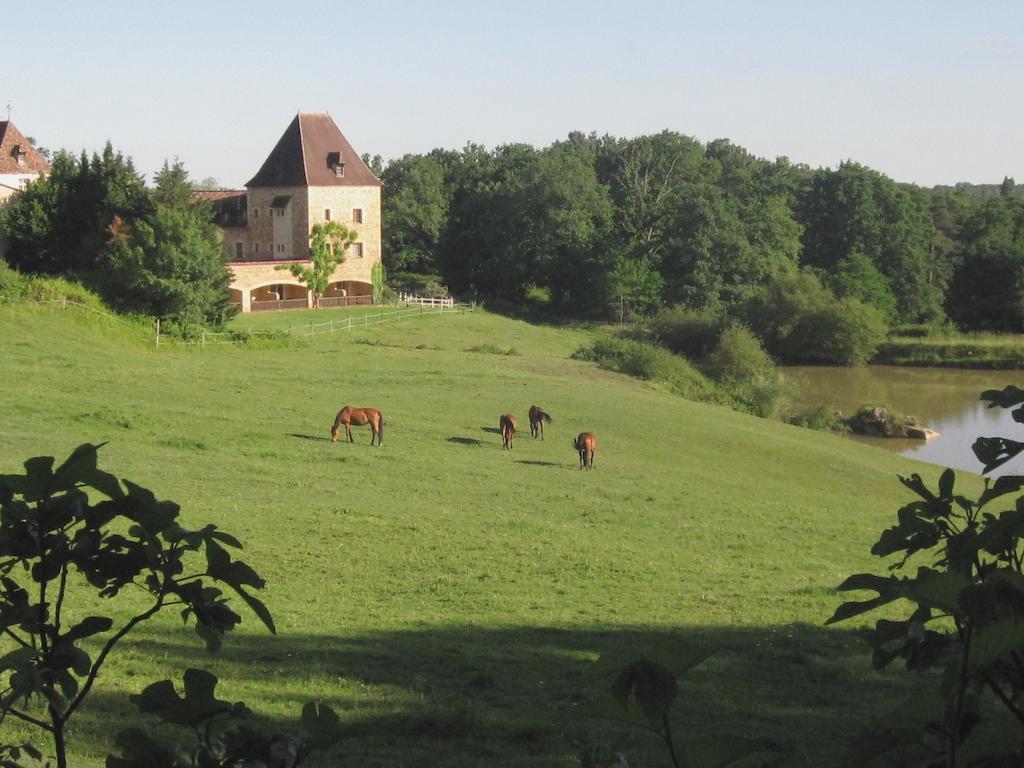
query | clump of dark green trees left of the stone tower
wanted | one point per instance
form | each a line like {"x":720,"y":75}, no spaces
{"x":152,"y":251}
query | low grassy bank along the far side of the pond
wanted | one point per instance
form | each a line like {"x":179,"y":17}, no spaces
{"x":982,"y":352}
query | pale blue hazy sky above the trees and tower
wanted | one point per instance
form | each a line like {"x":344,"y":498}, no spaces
{"x":929,"y":93}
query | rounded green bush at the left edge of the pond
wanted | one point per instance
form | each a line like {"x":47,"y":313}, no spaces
{"x":743,"y":368}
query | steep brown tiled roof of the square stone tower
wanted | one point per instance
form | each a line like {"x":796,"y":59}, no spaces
{"x":310,"y":153}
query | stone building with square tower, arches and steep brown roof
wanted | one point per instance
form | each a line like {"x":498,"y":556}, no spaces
{"x":313,"y":176}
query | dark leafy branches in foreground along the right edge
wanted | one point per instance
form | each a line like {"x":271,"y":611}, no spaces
{"x":964,"y":625}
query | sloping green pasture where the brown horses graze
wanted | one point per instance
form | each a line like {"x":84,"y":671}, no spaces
{"x":448,"y":598}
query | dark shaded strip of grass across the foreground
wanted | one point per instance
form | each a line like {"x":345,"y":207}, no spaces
{"x":521,"y":697}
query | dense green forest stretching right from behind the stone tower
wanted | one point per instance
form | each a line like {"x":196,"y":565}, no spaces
{"x":603,"y":227}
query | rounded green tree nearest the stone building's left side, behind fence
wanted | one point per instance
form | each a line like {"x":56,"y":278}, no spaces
{"x":169,"y":263}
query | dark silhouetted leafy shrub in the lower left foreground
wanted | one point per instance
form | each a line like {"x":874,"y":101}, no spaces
{"x":59,"y":543}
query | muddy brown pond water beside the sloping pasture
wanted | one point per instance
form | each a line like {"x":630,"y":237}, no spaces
{"x":946,"y":400}
